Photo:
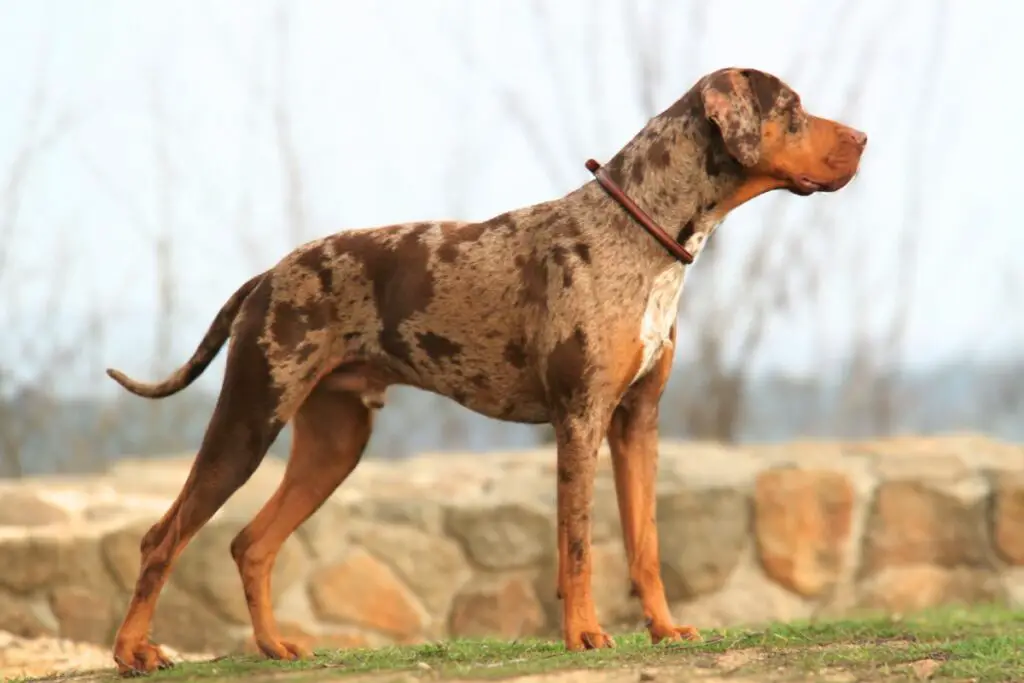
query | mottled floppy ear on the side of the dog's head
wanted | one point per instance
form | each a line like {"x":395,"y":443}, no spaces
{"x":730,"y":103}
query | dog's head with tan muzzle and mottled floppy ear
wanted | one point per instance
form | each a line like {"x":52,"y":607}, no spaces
{"x":778,"y":144}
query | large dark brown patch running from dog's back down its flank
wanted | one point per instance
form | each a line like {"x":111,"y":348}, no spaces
{"x":403,"y":284}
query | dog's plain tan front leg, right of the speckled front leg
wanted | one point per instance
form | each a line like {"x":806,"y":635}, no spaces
{"x":633,"y":442}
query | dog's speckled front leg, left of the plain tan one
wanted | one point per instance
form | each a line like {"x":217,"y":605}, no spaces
{"x":578,"y":442}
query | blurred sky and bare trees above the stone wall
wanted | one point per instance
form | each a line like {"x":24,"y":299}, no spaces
{"x":155,"y":155}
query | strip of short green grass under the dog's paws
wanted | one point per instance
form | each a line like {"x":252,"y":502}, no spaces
{"x":983,"y":645}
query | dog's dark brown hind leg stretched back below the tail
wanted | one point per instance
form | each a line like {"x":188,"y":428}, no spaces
{"x":246,"y":420}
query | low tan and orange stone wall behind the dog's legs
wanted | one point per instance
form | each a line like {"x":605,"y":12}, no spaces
{"x":463,"y":545}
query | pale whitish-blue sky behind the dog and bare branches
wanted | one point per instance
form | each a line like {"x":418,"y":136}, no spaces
{"x":157,"y":118}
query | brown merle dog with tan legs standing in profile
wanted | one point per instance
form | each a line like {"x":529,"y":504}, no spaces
{"x":562,"y":313}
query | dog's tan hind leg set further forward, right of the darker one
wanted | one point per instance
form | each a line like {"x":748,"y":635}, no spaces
{"x":332,"y":430}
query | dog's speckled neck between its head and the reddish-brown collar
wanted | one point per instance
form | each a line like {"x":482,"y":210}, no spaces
{"x":678,"y":170}
